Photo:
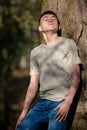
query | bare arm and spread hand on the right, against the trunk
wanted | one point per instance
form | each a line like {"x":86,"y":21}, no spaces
{"x":65,"y":106}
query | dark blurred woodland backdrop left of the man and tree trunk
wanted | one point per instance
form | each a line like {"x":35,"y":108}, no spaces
{"x":18,"y":35}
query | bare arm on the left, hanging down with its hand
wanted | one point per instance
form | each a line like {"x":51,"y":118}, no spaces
{"x":30,"y":95}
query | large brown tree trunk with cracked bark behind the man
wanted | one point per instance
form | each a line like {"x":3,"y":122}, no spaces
{"x":73,"y":19}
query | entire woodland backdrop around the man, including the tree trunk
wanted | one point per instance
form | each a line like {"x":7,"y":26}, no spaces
{"x":19,"y":34}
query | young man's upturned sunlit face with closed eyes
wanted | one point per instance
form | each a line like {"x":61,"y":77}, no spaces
{"x":48,"y":22}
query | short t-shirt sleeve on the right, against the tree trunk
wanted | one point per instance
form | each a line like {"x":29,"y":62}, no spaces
{"x":73,"y":54}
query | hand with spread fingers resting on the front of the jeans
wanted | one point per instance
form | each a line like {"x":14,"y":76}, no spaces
{"x":63,"y":110}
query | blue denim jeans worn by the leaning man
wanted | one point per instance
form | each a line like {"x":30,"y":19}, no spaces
{"x":42,"y":117}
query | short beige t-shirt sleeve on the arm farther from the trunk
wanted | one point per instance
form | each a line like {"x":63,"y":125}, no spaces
{"x":34,"y":67}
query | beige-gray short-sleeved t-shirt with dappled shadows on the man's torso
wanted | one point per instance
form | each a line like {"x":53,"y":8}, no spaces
{"x":52,"y":62}
